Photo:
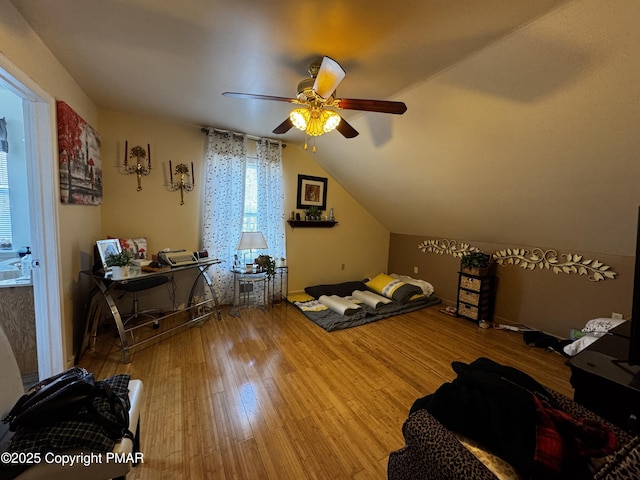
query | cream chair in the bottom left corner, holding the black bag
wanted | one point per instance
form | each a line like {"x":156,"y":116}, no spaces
{"x":12,"y":389}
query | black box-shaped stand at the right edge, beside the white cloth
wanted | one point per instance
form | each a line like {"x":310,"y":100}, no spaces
{"x":604,"y":383}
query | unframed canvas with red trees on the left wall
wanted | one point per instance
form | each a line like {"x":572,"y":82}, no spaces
{"x":79,"y":158}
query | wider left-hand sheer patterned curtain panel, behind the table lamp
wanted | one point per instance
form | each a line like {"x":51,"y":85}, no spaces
{"x":223,"y":204}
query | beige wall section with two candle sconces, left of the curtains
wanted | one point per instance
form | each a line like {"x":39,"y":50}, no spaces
{"x":154,"y":212}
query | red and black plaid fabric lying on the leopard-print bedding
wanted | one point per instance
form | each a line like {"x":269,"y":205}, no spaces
{"x":564,"y":443}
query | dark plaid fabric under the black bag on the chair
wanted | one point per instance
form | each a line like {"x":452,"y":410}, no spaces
{"x":79,"y":429}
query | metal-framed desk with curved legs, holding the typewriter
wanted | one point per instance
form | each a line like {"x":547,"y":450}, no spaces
{"x":127,"y":334}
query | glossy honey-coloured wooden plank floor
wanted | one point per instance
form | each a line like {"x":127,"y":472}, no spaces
{"x":274,"y":396}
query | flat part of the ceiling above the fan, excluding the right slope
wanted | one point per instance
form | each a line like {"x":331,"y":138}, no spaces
{"x":153,"y":57}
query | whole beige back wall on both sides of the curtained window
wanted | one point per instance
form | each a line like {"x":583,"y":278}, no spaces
{"x":313,"y":255}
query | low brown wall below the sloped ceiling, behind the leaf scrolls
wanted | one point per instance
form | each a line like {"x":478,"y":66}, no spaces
{"x":540,"y":299}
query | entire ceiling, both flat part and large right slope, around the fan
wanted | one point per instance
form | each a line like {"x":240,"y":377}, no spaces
{"x":522,"y":116}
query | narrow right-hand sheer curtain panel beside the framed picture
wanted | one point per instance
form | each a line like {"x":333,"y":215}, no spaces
{"x":271,"y":216}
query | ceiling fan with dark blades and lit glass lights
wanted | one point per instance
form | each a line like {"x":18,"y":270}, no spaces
{"x":317,"y":100}
